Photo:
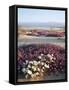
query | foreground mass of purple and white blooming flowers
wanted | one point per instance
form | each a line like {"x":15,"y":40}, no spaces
{"x":36,"y":61}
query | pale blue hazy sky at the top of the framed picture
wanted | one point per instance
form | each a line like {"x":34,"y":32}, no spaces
{"x":40,"y":16}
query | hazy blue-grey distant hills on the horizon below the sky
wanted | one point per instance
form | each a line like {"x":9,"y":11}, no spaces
{"x":46,"y":25}
